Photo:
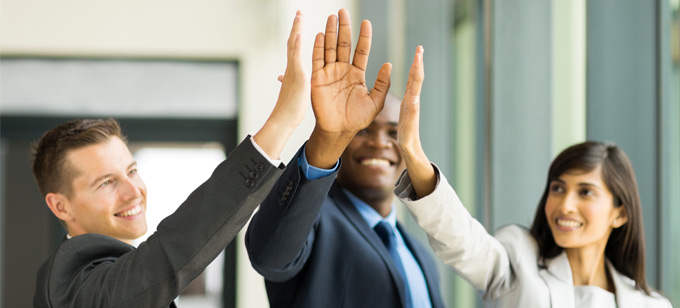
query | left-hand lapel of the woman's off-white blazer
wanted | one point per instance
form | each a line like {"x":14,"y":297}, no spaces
{"x":557,"y":276}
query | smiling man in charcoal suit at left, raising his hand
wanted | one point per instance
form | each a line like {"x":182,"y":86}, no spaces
{"x":90,"y":182}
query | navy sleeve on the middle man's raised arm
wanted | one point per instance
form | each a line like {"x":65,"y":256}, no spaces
{"x":281,"y":234}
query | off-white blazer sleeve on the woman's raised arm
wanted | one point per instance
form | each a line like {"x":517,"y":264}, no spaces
{"x":457,"y":238}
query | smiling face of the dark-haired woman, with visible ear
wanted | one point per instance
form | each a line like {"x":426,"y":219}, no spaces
{"x":580,"y":209}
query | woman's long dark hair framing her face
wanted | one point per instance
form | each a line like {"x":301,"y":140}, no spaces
{"x":626,"y":245}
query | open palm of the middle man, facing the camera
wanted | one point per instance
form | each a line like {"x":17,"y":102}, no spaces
{"x":341,"y":102}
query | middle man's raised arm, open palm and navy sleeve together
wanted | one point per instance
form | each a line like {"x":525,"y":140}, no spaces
{"x":281,"y":235}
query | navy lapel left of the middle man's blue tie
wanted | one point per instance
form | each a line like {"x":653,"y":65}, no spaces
{"x":354,"y":217}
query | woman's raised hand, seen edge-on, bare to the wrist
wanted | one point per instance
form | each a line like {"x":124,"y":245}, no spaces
{"x":419,"y":168}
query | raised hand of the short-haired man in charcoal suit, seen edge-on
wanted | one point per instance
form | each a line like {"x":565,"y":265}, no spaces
{"x":293,"y":98}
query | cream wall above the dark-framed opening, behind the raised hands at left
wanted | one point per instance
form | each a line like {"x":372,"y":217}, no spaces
{"x":253,"y":33}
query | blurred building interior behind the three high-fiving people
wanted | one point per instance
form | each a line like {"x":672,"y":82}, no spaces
{"x":509,"y":84}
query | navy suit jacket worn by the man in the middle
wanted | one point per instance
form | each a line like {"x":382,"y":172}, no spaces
{"x":316,"y":250}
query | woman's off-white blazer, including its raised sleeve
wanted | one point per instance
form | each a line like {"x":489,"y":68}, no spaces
{"x":504,"y":268}
